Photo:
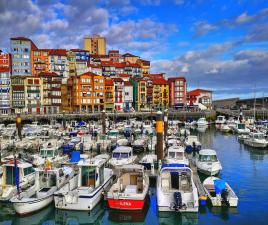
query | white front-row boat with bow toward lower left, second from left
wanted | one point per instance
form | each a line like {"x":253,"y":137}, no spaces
{"x":40,"y":195}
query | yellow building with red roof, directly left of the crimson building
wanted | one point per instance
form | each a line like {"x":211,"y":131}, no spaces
{"x":160,"y":93}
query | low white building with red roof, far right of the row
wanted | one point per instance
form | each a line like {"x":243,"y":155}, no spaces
{"x":200,"y":98}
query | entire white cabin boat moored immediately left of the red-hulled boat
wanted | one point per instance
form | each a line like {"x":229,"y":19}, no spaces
{"x":93,"y":179}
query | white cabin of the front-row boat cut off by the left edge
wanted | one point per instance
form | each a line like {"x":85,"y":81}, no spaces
{"x":8,"y":177}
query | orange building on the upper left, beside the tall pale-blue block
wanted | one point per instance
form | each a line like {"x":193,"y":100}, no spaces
{"x":40,"y":62}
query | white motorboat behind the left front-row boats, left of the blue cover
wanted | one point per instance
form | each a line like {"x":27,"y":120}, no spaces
{"x":50,"y":151}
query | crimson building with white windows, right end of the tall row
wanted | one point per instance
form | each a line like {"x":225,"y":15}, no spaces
{"x":177,"y":92}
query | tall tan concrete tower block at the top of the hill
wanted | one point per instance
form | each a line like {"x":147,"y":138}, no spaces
{"x":96,"y":45}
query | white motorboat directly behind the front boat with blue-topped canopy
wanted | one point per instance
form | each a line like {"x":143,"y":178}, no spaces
{"x":176,"y":154}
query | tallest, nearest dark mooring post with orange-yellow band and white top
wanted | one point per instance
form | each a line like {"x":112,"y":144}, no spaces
{"x":159,"y":135}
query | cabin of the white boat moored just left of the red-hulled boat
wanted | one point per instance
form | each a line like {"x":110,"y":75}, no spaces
{"x":91,"y":173}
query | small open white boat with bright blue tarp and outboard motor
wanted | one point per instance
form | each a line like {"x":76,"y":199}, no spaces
{"x":220,"y":192}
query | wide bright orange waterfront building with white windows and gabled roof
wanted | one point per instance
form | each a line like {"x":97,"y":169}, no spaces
{"x":86,"y":93}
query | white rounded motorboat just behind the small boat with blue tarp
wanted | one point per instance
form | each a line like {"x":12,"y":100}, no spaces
{"x":207,"y":162}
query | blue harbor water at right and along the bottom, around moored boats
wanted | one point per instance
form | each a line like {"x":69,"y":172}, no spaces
{"x":244,"y":168}
